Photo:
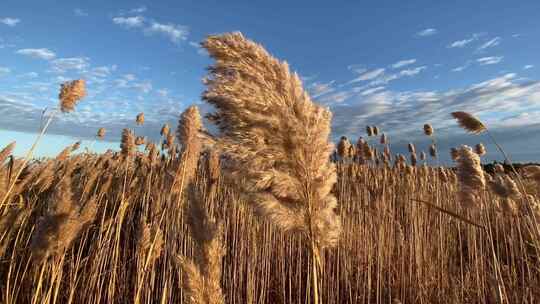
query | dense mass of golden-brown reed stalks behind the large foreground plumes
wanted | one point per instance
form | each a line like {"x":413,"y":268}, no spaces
{"x":393,"y":247}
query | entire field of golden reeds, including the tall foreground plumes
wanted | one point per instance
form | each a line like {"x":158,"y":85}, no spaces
{"x":266,"y":211}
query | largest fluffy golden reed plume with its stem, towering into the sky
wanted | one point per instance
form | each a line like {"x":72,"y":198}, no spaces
{"x":276,"y":137}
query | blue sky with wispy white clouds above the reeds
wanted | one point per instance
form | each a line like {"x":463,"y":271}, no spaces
{"x":396,"y":64}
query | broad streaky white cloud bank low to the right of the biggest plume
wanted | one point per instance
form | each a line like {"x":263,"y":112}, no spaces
{"x":405,"y":112}
